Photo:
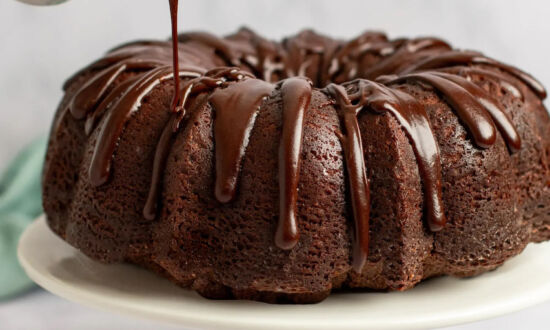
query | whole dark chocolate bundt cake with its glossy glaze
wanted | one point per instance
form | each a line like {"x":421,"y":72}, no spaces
{"x":285,"y":170}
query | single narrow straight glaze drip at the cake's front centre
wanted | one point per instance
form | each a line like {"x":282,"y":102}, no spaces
{"x":296,"y":95}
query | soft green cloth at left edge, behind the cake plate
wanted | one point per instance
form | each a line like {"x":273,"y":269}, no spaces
{"x":20,"y":204}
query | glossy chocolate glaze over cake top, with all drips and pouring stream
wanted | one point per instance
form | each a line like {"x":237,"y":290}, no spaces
{"x":221,"y":73}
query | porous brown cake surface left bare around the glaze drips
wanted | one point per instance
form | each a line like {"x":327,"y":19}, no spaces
{"x":496,"y":200}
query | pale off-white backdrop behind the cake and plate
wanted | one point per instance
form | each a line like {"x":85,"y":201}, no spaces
{"x":40,"y":47}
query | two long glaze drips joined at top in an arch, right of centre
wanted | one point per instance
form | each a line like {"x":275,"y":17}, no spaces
{"x":413,"y":118}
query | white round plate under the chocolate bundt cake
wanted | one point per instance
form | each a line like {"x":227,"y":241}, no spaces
{"x":53,"y":264}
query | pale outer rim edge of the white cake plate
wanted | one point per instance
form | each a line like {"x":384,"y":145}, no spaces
{"x":88,"y":298}
